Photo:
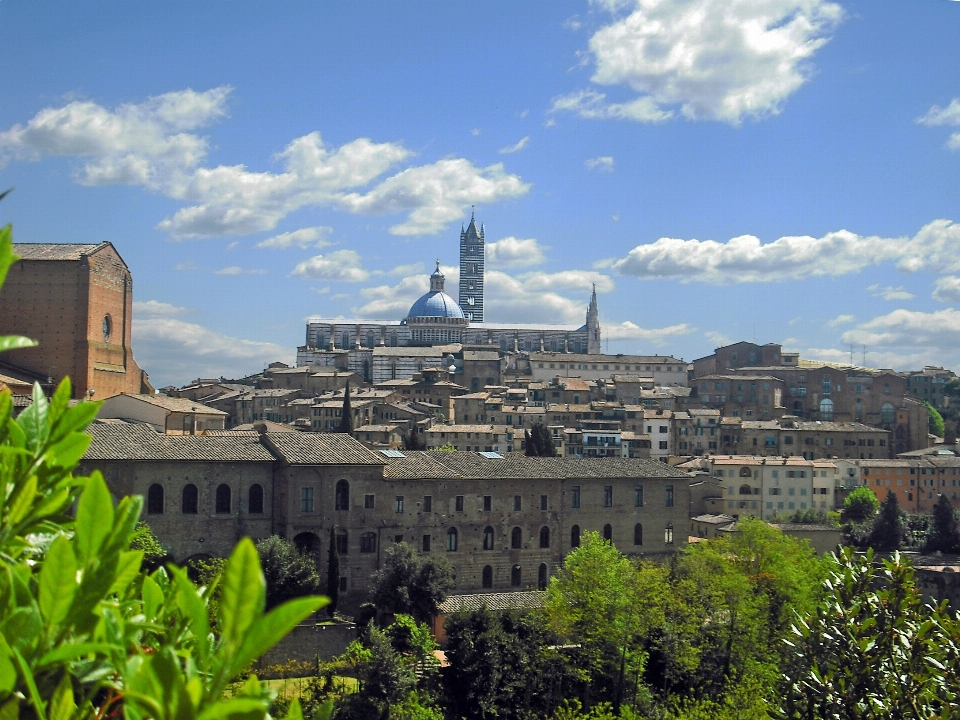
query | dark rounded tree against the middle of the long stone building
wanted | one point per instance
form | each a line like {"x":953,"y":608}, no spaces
{"x":411,"y":583}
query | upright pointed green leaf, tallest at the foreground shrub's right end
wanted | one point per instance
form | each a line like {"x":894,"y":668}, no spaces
{"x":243,"y":592}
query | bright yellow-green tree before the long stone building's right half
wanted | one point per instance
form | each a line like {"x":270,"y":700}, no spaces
{"x":604,"y":606}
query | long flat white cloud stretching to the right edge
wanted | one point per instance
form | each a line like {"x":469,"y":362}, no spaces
{"x":744,"y":259}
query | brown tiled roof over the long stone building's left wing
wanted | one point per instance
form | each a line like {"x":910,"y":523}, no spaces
{"x":138,"y":441}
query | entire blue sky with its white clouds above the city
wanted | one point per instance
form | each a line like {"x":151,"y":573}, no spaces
{"x":777,"y":170}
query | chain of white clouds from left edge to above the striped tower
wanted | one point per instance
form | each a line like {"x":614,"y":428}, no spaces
{"x":151,"y":144}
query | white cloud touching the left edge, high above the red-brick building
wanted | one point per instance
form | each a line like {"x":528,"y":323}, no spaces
{"x":142,"y":144}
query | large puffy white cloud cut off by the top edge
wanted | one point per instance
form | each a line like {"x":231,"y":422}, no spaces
{"x":722,"y":60}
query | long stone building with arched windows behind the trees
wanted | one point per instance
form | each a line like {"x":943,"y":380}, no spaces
{"x":504,"y":522}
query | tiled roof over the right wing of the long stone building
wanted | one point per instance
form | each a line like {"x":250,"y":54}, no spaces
{"x":471,"y":465}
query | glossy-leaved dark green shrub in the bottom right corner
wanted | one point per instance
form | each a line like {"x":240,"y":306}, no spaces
{"x":871,"y":650}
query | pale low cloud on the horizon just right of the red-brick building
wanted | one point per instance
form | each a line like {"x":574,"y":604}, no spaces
{"x":174,"y":351}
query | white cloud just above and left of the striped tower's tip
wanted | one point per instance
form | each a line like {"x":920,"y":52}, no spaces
{"x":436,"y":194}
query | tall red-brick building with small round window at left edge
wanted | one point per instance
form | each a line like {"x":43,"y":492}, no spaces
{"x":77,"y":302}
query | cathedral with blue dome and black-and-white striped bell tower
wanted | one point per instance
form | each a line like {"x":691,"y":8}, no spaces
{"x":436,"y":319}
